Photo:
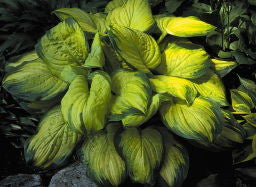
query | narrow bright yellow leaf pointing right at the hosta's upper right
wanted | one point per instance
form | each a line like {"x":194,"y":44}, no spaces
{"x":184,"y":26}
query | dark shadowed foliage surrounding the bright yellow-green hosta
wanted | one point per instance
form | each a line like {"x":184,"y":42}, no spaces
{"x":23,"y":22}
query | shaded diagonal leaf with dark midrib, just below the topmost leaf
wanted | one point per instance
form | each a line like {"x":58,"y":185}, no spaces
{"x":139,"y":50}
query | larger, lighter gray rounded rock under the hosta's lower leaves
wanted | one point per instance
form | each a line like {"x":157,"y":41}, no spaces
{"x":72,"y":176}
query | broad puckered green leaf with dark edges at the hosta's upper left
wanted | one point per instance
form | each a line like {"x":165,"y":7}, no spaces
{"x":64,"y":44}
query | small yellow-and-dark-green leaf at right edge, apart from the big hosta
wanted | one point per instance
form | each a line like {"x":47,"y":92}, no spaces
{"x":241,"y":102}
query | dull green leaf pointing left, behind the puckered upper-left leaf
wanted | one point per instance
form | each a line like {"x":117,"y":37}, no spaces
{"x":88,"y":22}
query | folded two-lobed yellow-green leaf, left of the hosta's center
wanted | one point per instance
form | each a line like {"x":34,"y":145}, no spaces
{"x":87,"y":109}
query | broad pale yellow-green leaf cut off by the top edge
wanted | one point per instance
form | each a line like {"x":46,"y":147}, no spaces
{"x":135,"y":14}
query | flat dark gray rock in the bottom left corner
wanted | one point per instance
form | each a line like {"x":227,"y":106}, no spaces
{"x":22,"y":180}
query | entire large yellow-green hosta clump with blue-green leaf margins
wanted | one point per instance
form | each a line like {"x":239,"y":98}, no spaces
{"x":101,"y":79}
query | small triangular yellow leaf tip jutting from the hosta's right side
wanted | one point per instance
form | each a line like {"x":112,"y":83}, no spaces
{"x":223,"y":67}
